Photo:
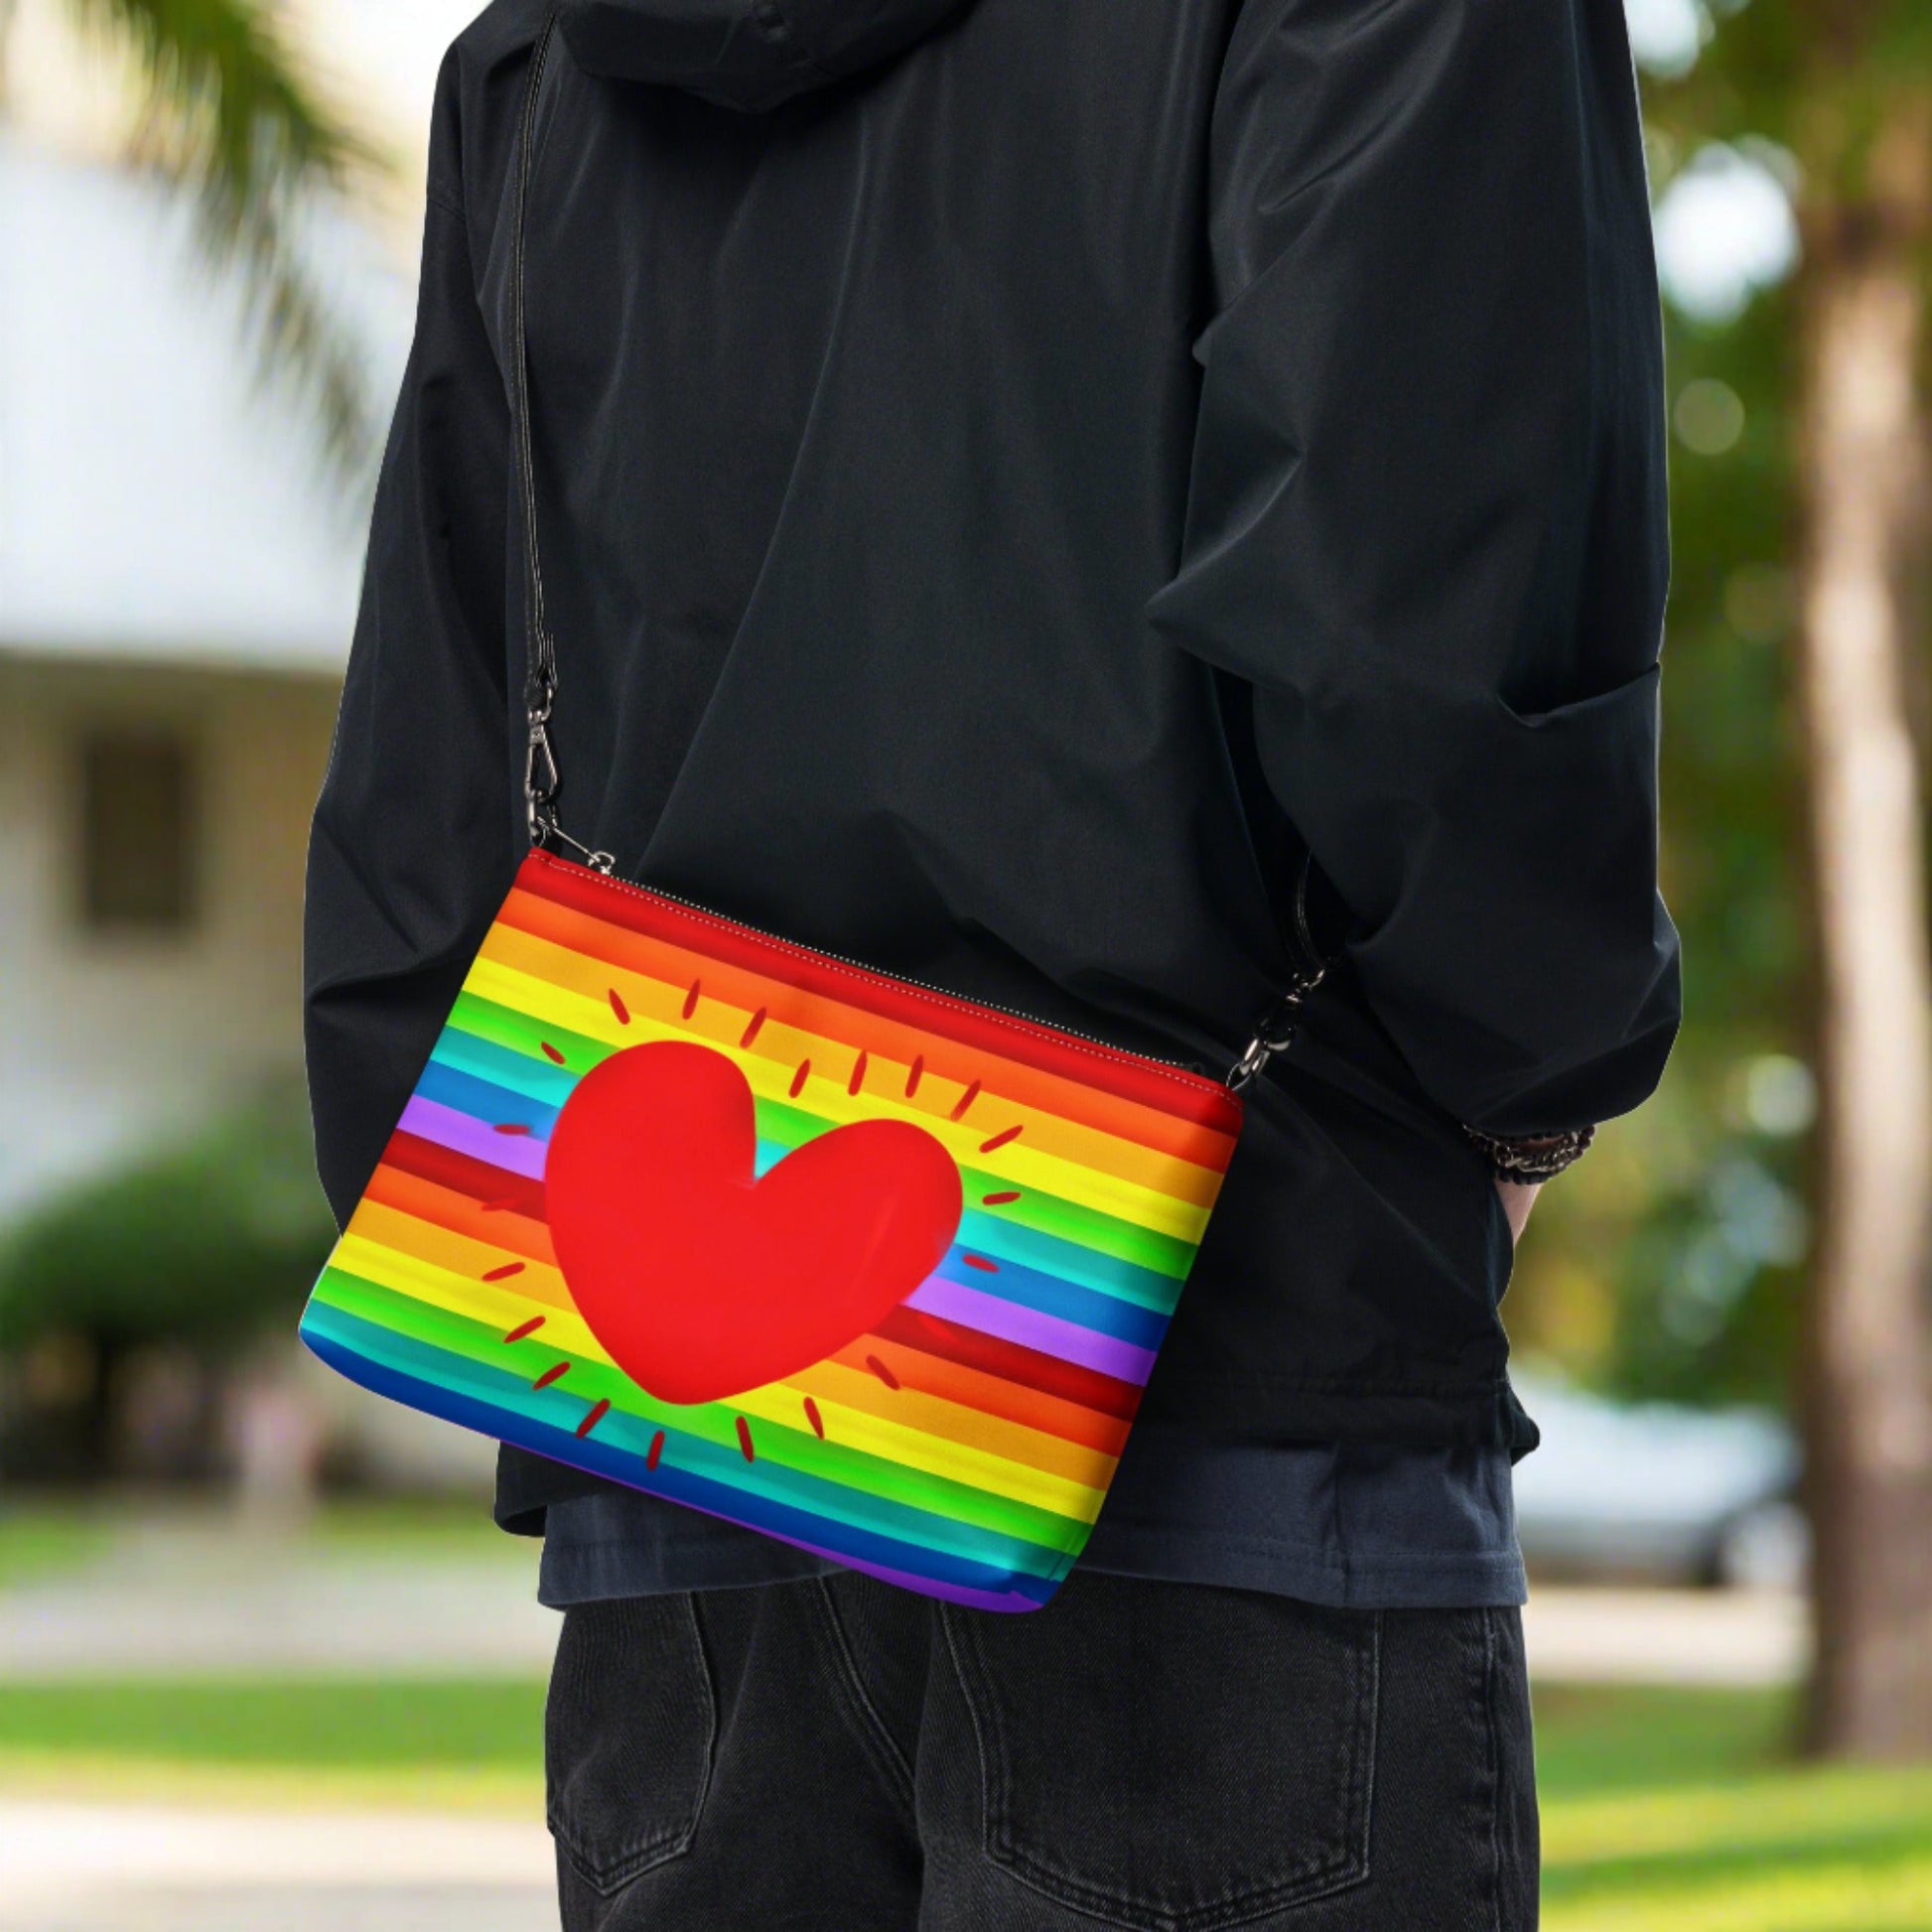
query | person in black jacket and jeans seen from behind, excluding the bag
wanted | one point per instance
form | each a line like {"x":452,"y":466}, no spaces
{"x":1094,"y":507}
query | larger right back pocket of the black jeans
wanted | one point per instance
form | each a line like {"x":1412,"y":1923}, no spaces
{"x":1174,"y":1759}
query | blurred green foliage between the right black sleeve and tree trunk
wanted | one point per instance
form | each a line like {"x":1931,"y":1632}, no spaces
{"x":1668,"y":1266}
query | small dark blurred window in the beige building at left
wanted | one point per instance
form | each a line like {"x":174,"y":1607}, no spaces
{"x":138,"y":832}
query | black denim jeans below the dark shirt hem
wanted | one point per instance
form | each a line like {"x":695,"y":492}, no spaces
{"x":843,"y":1757}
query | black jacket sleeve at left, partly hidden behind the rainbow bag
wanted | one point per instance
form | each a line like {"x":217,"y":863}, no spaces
{"x":414,"y":838}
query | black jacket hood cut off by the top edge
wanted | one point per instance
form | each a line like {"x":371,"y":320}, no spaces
{"x":745,"y":55}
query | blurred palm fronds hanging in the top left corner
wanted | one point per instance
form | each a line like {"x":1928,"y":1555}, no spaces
{"x":233,"y":121}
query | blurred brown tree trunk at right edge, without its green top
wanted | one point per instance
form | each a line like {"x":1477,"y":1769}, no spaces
{"x":1869,"y":1344}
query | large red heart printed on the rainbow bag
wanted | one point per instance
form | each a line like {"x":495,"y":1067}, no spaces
{"x":704,"y":1282}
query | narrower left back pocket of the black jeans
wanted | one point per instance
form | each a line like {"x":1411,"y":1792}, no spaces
{"x":627,"y":1736}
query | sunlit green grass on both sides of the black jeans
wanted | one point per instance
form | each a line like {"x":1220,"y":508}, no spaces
{"x":1664,"y":1811}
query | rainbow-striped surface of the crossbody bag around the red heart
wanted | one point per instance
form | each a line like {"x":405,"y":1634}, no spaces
{"x":965,"y":1446}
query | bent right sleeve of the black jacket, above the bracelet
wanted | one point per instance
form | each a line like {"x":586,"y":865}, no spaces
{"x":1427,"y":523}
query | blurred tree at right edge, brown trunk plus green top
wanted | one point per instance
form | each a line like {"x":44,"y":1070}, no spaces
{"x":1846,"y":90}
